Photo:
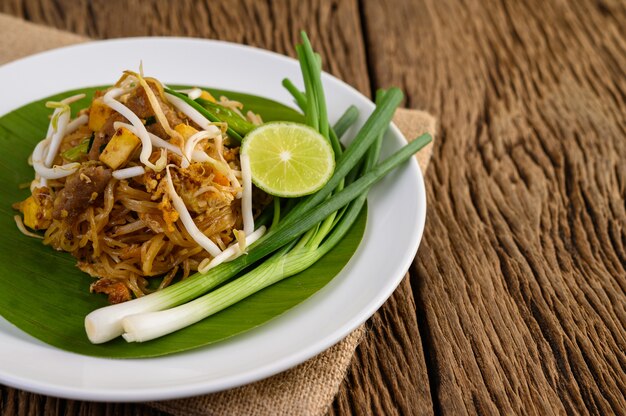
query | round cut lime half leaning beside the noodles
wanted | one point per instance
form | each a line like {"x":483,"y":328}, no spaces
{"x":288,"y":159}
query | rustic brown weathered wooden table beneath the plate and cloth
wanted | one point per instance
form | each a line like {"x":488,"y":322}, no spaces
{"x":516,"y":302}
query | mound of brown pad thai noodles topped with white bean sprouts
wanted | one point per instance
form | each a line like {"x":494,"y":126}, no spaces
{"x":137,"y":186}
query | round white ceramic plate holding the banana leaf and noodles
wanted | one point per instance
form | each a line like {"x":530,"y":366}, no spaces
{"x":394,"y":228}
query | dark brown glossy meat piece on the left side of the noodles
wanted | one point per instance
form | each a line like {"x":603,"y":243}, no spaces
{"x":82,"y":188}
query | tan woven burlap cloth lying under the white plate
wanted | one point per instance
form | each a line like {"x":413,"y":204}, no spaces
{"x":307,"y":389}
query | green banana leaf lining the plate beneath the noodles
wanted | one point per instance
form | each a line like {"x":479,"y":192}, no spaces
{"x":43,"y":293}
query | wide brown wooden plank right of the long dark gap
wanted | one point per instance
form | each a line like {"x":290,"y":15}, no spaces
{"x":520,"y":280}
